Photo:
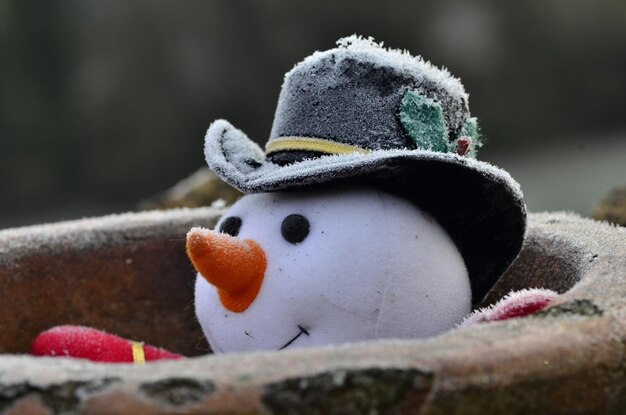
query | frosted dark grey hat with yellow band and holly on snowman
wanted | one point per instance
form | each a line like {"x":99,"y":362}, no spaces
{"x":364,"y":114}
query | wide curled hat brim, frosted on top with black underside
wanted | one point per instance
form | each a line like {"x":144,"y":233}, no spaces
{"x":478,"y":204}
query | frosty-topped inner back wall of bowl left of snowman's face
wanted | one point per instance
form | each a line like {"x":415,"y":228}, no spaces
{"x":126,"y":274}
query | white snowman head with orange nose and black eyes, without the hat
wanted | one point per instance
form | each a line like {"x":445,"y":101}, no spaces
{"x":286,"y":270}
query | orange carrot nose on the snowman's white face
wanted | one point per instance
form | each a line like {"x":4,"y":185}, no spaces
{"x":236,"y":267}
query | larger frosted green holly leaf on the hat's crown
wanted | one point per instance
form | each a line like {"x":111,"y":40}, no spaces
{"x":422,"y":119}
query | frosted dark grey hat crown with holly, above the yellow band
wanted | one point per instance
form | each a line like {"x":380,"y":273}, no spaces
{"x":365,"y":96}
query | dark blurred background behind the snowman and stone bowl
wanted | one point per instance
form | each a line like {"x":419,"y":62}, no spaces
{"x":105,"y":103}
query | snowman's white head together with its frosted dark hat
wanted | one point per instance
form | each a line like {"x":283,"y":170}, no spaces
{"x":365,"y":217}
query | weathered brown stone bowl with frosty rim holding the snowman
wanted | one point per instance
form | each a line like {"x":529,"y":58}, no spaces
{"x":129,"y":275}
